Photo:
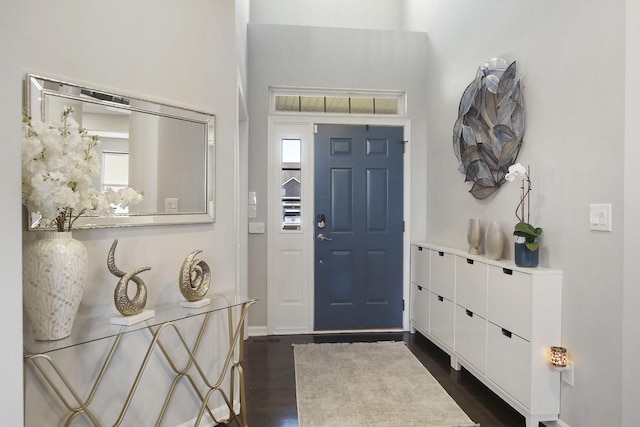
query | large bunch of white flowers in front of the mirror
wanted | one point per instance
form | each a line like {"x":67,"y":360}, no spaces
{"x":58,"y":162}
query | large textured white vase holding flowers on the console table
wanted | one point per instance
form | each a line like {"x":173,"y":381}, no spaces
{"x":54,"y":272}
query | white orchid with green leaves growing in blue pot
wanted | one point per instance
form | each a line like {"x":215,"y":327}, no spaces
{"x":523,"y":229}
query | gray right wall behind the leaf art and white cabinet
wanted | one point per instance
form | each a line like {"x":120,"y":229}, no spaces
{"x":574,"y":143}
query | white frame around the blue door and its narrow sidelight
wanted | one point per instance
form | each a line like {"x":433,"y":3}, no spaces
{"x":307,"y":228}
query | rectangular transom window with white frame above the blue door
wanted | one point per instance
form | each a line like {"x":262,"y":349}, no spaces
{"x":310,"y":101}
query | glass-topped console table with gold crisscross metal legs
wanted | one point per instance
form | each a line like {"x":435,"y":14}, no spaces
{"x":41,"y":355}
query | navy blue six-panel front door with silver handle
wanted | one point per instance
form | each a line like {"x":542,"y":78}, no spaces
{"x":358,"y":227}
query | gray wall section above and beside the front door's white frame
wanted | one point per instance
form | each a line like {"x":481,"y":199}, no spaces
{"x":282,"y":55}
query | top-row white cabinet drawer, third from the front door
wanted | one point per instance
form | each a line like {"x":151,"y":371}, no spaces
{"x":471,"y":285}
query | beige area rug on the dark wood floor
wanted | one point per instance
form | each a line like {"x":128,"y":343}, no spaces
{"x":370,"y":384}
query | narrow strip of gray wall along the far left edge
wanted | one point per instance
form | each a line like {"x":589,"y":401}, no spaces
{"x":11,"y":74}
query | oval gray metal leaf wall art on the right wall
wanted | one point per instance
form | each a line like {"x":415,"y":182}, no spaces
{"x":488,"y":133}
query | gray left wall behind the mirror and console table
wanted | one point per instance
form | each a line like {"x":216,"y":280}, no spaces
{"x":193,"y":65}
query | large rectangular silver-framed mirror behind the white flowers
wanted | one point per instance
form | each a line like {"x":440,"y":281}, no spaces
{"x":168,"y":152}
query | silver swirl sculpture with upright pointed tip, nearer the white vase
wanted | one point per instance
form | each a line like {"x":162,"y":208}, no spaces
{"x":125,"y":305}
